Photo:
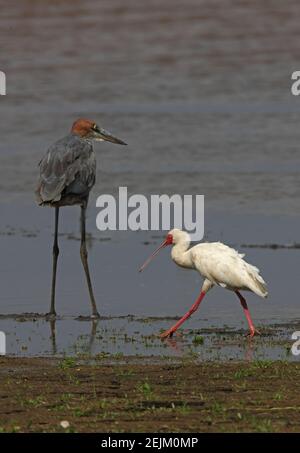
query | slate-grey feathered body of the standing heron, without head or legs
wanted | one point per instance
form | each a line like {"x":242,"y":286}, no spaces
{"x":67,"y":172}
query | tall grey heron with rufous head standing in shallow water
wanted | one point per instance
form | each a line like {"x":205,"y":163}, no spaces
{"x":67,"y":175}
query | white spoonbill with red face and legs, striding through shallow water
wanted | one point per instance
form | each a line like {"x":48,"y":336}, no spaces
{"x":219,"y":265}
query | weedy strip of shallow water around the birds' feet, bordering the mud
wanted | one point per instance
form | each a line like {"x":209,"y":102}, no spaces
{"x":129,"y":336}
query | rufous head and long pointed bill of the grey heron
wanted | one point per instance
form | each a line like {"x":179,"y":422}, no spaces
{"x":89,"y":130}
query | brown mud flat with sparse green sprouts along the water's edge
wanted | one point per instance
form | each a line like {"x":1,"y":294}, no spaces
{"x":133,"y":395}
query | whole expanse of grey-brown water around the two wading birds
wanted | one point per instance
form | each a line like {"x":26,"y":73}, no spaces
{"x":202,"y":95}
